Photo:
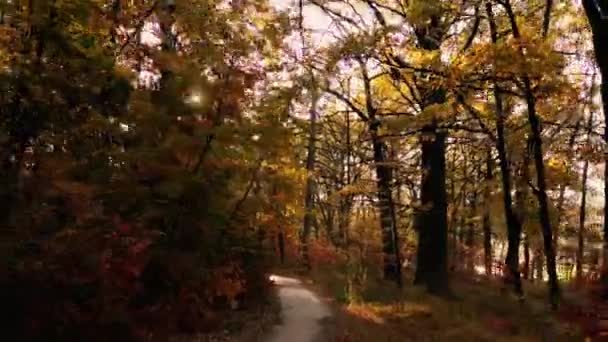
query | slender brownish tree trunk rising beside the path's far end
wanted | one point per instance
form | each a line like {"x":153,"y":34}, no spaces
{"x":310,"y":182}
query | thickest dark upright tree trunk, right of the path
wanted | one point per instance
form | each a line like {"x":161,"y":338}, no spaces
{"x":431,"y":266}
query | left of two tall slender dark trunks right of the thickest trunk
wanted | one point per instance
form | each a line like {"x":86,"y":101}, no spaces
{"x":513,"y":225}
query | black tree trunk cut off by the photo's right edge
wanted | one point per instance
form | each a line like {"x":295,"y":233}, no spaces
{"x":596,"y":14}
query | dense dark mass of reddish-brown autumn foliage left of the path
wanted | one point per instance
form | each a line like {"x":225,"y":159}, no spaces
{"x":130,"y":210}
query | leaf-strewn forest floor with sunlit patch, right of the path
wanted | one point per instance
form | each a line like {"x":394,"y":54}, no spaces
{"x":479,"y":311}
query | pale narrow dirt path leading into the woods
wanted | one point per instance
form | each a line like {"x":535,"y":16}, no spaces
{"x":302,"y":313}
